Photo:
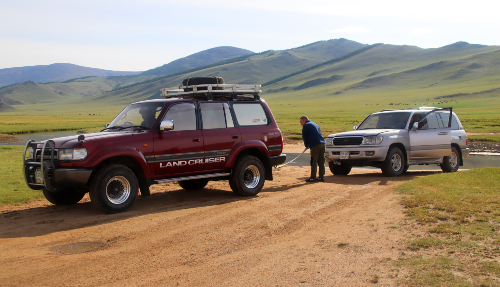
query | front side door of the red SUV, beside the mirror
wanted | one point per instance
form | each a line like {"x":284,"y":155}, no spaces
{"x":179,"y":151}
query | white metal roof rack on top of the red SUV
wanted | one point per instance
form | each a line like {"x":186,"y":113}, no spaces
{"x":217,"y":89}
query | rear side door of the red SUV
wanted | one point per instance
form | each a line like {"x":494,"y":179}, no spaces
{"x":219,"y":134}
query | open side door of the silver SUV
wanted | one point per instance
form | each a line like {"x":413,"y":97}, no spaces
{"x":431,"y":140}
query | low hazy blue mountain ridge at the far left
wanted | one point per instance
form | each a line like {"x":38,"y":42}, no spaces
{"x":53,"y":73}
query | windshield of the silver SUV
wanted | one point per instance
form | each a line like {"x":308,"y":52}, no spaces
{"x":392,"y":120}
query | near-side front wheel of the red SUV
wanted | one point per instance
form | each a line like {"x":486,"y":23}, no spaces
{"x":114,"y":188}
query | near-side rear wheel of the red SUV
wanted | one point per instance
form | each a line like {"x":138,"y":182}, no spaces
{"x":248,"y":176}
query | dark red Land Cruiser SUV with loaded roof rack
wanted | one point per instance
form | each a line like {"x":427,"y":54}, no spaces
{"x":205,"y":130}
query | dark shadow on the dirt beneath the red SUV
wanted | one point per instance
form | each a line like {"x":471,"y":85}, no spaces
{"x":43,"y":220}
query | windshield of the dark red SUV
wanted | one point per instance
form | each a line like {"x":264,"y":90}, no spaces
{"x":141,"y":115}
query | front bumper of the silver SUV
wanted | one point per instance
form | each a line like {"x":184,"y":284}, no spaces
{"x":357,"y":153}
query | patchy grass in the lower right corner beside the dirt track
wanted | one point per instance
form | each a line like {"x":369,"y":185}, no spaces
{"x":461,"y":213}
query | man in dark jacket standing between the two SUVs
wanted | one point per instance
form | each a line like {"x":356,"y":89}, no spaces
{"x":313,"y":139}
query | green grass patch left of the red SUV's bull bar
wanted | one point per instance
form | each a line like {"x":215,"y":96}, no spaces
{"x":13,"y":188}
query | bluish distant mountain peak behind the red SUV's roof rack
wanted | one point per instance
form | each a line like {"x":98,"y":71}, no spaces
{"x":199,"y":59}
